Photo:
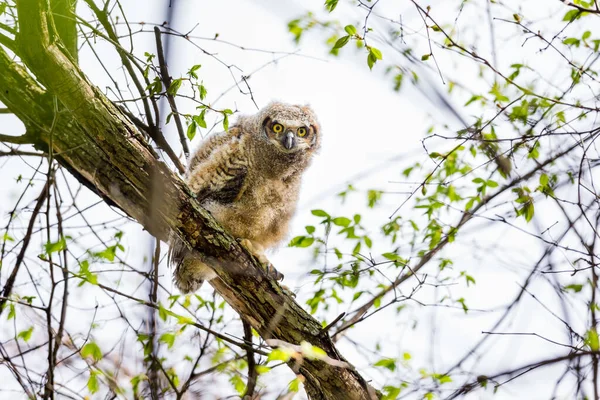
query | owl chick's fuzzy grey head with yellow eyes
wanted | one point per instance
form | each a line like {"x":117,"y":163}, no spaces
{"x":290,"y":128}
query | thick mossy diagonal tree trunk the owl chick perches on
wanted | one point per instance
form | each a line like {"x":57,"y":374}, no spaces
{"x":64,"y":113}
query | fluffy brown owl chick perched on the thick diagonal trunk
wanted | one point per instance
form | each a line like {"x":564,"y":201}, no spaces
{"x":249,"y":179}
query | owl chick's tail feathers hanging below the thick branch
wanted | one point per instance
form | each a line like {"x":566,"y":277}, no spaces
{"x":190,"y":271}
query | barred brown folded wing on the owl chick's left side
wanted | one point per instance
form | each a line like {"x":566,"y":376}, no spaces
{"x":219,"y":168}
